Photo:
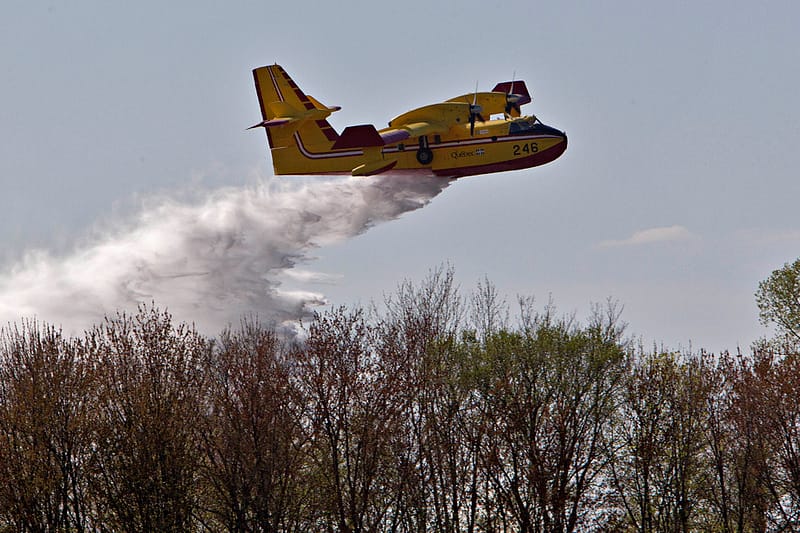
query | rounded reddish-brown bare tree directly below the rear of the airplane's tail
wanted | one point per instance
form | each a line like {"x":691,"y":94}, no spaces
{"x":252,"y":437}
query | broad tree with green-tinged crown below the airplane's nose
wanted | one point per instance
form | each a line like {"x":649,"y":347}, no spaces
{"x":552,"y":390}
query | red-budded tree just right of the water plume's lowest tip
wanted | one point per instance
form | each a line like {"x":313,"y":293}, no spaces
{"x":353,"y":415}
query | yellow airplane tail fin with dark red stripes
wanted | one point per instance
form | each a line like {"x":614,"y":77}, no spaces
{"x":287,"y":111}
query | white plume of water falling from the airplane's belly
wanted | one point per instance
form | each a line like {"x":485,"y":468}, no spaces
{"x":210,"y":261}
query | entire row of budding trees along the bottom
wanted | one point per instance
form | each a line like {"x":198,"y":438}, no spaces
{"x":440,"y":413}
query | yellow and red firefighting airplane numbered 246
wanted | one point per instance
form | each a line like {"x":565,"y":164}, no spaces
{"x":455,"y":138}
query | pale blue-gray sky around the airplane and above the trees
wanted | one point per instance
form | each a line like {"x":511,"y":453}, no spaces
{"x":677,"y":194}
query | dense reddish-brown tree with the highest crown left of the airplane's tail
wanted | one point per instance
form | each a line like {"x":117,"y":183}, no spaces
{"x":150,"y":398}
